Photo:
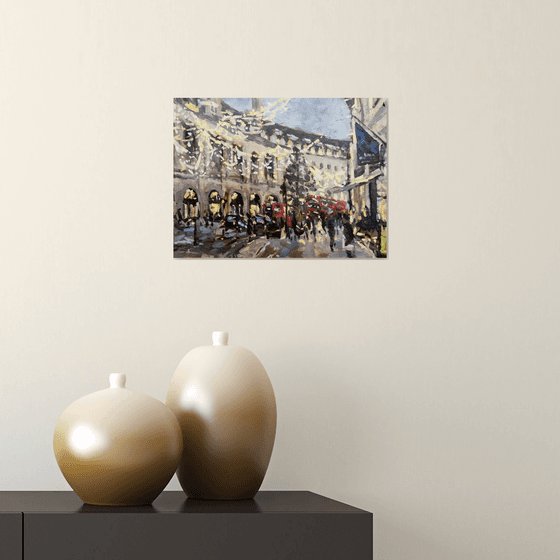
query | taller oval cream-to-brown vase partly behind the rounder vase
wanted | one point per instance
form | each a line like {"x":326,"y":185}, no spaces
{"x":225,"y":404}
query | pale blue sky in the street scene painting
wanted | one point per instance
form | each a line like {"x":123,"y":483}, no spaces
{"x":323,"y":115}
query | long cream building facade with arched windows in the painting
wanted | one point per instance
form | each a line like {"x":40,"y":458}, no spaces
{"x":232,"y":162}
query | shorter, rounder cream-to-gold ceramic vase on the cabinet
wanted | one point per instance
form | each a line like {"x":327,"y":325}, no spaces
{"x":118,"y":447}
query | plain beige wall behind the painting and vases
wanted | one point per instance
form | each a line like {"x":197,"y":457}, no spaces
{"x":424,"y":388}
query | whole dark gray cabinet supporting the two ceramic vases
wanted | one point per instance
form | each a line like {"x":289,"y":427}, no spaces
{"x":273,"y":526}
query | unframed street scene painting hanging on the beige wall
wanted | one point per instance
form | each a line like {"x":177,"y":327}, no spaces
{"x":280,"y":177}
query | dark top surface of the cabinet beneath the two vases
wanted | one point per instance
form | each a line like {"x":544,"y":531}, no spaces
{"x":176,"y":502}
